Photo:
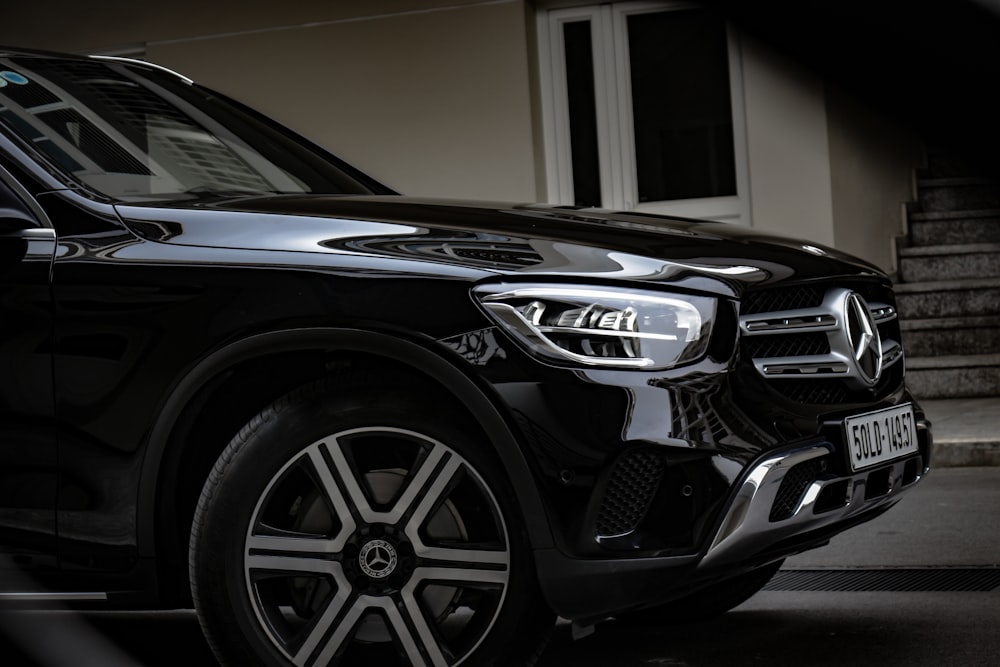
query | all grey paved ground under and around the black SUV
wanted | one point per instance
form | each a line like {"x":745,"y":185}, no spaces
{"x":949,"y":524}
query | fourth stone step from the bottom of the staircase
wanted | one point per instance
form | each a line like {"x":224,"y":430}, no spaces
{"x":949,"y":262}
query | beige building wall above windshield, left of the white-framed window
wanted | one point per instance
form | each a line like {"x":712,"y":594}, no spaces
{"x":432,"y":98}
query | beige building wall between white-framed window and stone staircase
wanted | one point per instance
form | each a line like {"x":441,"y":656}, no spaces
{"x":823,"y":167}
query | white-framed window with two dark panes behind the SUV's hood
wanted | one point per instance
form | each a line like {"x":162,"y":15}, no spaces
{"x":643,"y":110}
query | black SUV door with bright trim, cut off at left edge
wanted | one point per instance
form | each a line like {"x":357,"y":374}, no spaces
{"x":28,"y":462}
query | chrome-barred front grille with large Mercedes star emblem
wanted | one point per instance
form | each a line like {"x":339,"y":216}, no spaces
{"x":824,"y":345}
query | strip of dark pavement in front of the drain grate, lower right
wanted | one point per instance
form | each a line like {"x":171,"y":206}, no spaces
{"x":807,"y":630}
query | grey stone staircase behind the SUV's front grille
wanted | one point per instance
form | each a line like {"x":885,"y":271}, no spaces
{"x":948,"y":287}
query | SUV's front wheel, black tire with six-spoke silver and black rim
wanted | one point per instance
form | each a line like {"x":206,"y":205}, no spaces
{"x":351,"y":526}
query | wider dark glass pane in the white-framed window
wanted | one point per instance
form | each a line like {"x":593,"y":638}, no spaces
{"x":681,"y":106}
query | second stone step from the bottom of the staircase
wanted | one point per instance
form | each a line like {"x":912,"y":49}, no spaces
{"x":946,"y":336}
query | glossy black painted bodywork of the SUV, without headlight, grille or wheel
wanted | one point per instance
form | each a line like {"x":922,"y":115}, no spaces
{"x":146,"y":334}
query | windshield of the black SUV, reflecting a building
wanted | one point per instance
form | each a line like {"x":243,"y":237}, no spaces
{"x":133,"y":133}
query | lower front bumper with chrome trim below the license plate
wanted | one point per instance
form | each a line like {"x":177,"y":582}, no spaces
{"x":786,"y":501}
